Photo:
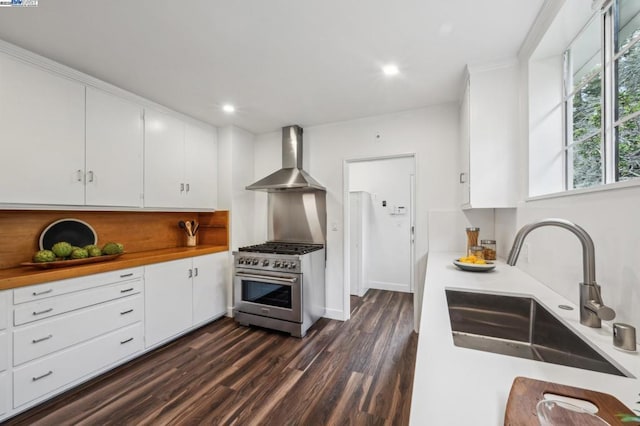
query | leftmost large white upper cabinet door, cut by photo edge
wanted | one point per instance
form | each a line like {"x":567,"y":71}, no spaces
{"x":42,"y":135}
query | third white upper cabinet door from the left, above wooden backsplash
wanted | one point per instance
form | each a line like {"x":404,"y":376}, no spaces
{"x":164,"y":184}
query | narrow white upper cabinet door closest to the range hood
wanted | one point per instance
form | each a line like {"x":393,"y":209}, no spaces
{"x":201,"y":151}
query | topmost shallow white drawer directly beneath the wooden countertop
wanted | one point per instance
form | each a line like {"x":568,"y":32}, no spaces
{"x":56,"y":288}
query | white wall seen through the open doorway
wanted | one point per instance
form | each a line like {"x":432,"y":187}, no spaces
{"x":388,"y":180}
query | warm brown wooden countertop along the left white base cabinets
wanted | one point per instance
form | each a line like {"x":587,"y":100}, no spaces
{"x":27,"y":275}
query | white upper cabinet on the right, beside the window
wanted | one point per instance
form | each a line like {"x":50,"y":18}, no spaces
{"x":488,"y":137}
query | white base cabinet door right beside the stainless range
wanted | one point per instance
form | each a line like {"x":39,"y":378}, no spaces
{"x":209,"y":286}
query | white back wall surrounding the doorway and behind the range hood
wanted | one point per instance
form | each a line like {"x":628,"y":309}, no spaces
{"x":431,"y":133}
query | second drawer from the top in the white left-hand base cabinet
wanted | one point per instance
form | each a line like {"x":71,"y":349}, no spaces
{"x":54,"y":306}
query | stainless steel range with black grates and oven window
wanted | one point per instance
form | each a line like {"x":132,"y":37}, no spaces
{"x":280,"y":285}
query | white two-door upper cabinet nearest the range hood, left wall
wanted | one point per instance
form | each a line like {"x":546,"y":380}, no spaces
{"x":180,"y":163}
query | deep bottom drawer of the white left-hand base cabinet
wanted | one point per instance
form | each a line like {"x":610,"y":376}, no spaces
{"x":45,"y":375}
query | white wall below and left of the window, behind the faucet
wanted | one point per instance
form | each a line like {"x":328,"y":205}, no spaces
{"x":609,"y":216}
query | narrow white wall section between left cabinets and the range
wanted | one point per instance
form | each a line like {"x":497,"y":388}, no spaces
{"x":235,"y":171}
